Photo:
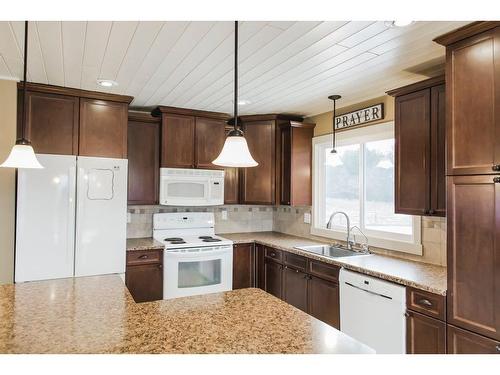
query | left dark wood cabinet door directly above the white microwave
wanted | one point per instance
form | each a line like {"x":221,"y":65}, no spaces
{"x":177,"y":146}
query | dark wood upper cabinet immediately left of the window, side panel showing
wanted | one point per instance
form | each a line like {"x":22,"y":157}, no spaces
{"x":294,"y":163}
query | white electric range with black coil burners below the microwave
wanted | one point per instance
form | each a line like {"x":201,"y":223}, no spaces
{"x":195,"y":260}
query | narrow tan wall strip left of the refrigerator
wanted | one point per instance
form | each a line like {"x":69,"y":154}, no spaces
{"x":8,"y":104}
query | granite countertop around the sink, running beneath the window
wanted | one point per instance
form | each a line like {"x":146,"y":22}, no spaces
{"x":422,"y":276}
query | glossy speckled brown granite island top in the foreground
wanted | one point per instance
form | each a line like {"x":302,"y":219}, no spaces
{"x":98,"y":315}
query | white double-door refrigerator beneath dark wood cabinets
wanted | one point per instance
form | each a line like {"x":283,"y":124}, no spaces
{"x":71,"y":218}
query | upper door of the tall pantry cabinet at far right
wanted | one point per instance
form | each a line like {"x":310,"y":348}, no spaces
{"x":473,"y":92}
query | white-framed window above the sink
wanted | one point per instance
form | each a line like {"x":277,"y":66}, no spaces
{"x":359,"y":180}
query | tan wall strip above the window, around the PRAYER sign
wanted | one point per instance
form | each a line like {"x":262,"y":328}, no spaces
{"x":323,"y":121}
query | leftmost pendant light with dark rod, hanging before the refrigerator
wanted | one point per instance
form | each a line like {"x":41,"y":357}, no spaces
{"x":22,"y":154}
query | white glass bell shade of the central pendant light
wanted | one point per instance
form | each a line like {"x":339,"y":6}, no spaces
{"x":235,"y":153}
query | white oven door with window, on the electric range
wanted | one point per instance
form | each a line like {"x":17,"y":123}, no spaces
{"x":190,"y":272}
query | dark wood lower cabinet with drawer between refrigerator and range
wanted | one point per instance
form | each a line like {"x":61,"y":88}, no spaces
{"x":144,"y":275}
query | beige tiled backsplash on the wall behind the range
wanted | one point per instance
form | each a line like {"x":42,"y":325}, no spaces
{"x":239,"y":218}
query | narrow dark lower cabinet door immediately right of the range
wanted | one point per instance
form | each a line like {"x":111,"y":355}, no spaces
{"x":243,"y":266}
